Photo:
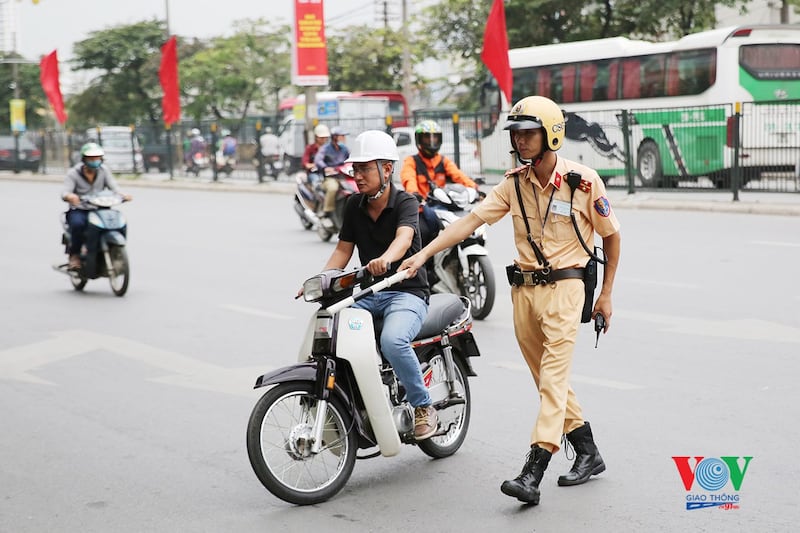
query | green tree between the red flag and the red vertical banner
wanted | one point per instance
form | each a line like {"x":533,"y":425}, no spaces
{"x":233,"y":75}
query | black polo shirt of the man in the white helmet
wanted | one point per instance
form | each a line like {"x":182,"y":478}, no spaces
{"x":373,"y":237}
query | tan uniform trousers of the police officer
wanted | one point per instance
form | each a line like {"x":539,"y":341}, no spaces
{"x":546,"y":320}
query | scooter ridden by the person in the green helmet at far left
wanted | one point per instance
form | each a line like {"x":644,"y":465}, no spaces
{"x":106,"y":257}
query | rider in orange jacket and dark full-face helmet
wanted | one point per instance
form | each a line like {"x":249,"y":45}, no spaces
{"x":427,"y":169}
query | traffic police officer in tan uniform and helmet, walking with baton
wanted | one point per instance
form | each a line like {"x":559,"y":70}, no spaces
{"x":547,"y":279}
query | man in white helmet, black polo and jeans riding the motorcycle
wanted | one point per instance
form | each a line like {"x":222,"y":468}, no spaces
{"x":381,"y":221}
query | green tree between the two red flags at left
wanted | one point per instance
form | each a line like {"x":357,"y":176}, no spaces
{"x":127,"y":90}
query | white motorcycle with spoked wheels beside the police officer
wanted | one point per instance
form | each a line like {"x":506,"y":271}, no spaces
{"x":304,"y":432}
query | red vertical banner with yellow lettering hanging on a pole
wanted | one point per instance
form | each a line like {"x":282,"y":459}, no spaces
{"x":309,"y":53}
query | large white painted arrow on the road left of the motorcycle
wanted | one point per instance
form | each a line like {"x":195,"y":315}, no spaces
{"x":18,"y":363}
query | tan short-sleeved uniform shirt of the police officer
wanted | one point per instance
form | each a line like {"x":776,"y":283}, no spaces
{"x":555,"y":236}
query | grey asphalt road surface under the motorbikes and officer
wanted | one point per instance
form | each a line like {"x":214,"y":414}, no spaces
{"x":129,"y":414}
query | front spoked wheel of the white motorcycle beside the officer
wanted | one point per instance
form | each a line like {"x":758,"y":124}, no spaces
{"x":279,"y":445}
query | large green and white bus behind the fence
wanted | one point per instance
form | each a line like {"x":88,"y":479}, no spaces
{"x":680,"y":98}
